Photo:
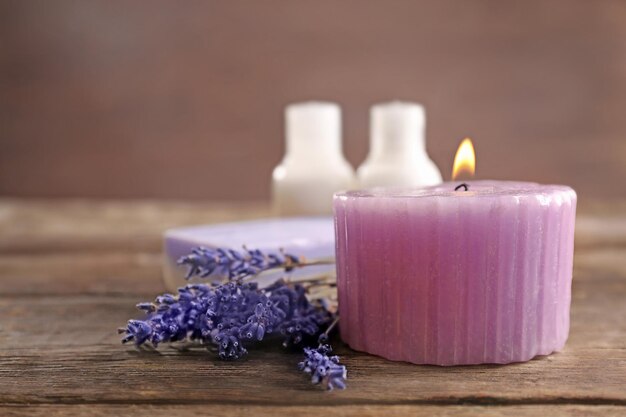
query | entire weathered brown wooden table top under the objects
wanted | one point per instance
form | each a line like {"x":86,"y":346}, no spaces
{"x":71,"y":272}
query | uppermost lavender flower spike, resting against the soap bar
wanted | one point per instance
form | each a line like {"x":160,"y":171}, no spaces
{"x":232,"y":264}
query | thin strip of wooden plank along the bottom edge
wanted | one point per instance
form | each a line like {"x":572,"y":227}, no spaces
{"x":98,"y":410}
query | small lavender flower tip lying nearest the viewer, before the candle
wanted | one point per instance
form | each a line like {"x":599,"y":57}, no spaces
{"x":324,"y":369}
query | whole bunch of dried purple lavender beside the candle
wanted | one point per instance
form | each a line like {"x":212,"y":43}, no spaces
{"x":230,"y":316}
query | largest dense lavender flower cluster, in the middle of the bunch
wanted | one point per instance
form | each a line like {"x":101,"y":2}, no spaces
{"x":227,"y":315}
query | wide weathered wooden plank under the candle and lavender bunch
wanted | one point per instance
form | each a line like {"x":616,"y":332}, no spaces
{"x":64,"y":350}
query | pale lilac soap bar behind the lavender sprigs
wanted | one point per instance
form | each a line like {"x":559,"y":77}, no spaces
{"x":310,"y":237}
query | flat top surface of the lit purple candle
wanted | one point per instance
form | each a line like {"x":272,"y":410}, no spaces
{"x":482,"y":188}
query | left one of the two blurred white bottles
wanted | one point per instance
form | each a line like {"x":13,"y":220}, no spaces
{"x":314,"y":166}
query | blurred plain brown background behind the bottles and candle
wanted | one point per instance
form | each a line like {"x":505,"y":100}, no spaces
{"x":184,"y":99}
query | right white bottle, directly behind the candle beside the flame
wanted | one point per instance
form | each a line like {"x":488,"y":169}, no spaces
{"x":397,"y":154}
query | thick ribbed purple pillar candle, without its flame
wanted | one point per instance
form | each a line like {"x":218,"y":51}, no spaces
{"x":444,"y":277}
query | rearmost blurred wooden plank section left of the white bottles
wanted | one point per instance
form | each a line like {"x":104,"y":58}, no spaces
{"x":53,"y":226}
